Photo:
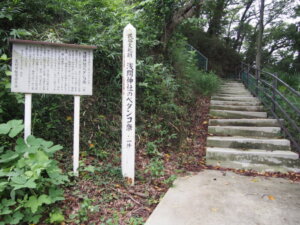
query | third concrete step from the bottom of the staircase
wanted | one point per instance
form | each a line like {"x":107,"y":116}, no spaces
{"x":245,"y":131}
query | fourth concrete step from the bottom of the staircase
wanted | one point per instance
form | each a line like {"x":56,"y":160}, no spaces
{"x":244,"y":122}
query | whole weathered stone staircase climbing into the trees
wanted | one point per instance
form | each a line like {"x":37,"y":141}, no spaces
{"x":243,"y":137}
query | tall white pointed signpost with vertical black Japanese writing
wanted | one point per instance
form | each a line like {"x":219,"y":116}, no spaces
{"x":128,"y":103}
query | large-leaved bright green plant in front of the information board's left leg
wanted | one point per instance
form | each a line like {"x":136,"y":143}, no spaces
{"x":29,"y":176}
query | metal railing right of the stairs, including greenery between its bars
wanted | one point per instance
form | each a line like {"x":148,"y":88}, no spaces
{"x":280,"y":99}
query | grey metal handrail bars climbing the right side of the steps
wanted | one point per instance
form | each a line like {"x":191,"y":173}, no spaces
{"x":272,"y":86}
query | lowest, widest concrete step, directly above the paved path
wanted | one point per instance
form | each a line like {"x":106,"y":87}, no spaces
{"x":260,"y":160}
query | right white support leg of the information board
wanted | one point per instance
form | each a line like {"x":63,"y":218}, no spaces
{"x":76,"y":134}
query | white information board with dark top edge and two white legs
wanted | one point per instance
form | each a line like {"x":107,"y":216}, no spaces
{"x":51,"y":68}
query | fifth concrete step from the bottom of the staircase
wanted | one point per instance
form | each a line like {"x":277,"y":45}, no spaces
{"x":236,"y":114}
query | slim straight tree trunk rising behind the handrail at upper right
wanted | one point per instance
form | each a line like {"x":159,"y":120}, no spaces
{"x":259,"y":39}
